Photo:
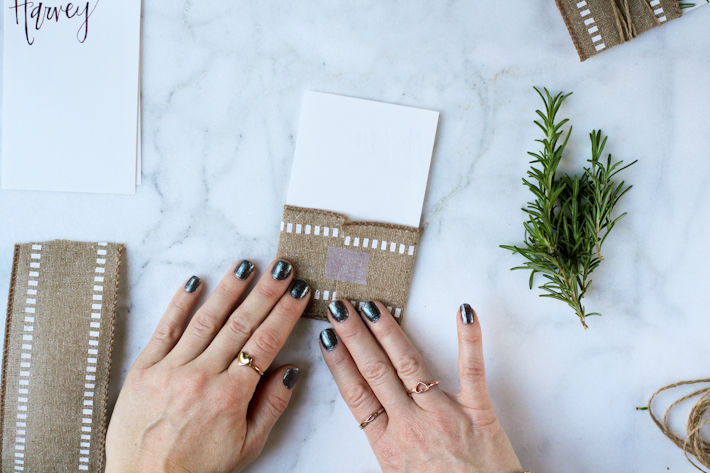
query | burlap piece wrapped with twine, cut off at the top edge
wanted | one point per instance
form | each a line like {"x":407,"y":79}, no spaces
{"x":597,"y":25}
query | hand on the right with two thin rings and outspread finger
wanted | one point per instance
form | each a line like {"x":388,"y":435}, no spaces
{"x":374,"y":364}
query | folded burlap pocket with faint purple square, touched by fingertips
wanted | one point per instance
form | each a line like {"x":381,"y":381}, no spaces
{"x":356,"y":261}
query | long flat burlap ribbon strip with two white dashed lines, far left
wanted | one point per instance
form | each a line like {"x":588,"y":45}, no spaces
{"x":57,"y":356}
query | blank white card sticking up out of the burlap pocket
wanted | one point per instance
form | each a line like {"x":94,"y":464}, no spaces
{"x":368,"y":160}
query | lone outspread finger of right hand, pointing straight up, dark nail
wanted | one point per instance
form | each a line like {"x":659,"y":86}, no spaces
{"x":472,"y":373}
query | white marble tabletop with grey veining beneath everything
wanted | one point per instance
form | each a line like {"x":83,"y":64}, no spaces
{"x":222,"y":84}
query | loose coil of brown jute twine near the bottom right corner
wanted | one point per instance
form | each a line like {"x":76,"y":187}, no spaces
{"x":693,"y":444}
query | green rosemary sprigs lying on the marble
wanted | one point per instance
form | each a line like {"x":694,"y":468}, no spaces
{"x":571,"y":216}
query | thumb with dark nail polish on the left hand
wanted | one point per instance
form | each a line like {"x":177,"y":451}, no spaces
{"x":269,"y":402}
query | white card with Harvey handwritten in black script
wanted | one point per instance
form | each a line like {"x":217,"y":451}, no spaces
{"x":70,"y":95}
